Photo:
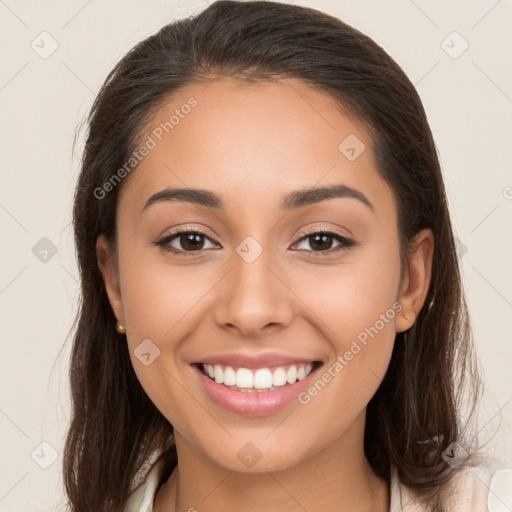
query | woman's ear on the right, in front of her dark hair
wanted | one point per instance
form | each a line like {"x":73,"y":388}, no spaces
{"x":416,"y":280}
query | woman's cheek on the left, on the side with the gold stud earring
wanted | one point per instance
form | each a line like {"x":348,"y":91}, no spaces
{"x":160,"y":303}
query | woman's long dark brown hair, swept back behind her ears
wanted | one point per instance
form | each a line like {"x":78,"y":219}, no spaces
{"x":414,"y":415}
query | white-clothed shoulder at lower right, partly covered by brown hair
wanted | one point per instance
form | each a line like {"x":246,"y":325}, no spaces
{"x":482,"y":487}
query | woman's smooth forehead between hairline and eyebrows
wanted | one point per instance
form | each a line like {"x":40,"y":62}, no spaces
{"x":253,"y":142}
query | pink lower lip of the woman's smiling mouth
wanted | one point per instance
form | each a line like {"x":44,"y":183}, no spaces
{"x":256,"y":403}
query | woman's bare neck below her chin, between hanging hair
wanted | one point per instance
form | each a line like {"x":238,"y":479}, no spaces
{"x":338,"y":478}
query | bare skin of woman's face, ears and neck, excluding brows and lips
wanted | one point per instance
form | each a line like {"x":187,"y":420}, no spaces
{"x":253,"y":144}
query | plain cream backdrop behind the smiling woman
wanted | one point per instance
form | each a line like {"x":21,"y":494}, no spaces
{"x":55,"y":56}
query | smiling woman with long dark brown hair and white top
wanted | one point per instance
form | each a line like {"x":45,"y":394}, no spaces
{"x":272,"y":315}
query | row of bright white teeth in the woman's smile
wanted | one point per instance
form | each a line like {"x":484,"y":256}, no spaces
{"x":260,"y":379}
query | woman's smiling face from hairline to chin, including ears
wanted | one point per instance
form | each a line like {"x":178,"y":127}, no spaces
{"x":270,"y":280}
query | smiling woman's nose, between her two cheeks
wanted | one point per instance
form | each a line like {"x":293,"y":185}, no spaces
{"x":254,"y":297}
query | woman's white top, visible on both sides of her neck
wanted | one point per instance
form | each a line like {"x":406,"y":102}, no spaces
{"x":473,"y":489}
